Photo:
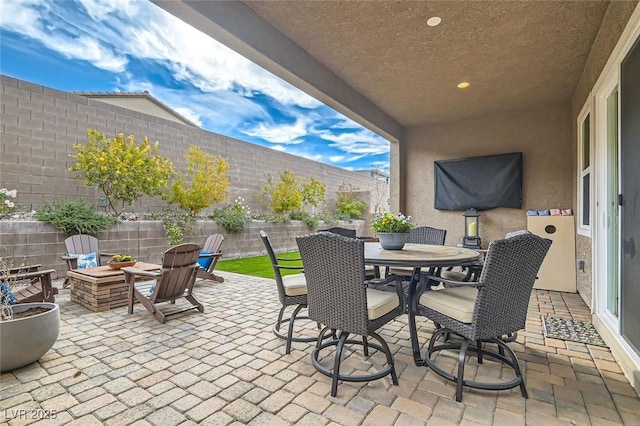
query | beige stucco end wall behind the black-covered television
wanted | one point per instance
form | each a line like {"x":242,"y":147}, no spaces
{"x":542,"y":134}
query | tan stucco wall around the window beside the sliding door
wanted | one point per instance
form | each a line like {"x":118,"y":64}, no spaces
{"x":613,"y":25}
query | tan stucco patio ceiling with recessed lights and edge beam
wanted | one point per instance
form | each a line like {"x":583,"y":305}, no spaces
{"x":515,"y":54}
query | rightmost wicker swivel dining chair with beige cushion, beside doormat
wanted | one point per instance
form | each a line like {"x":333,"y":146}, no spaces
{"x":477,"y":312}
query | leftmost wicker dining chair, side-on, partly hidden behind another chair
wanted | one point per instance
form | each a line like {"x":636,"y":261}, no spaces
{"x":292,"y":291}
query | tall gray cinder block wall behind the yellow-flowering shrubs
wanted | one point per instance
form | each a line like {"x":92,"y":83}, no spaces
{"x":39,"y":126}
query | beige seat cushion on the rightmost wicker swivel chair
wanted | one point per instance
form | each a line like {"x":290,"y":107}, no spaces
{"x":455,"y":302}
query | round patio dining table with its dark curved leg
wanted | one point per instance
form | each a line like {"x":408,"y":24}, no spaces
{"x":418,"y":256}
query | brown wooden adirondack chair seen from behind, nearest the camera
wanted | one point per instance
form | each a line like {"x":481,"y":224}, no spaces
{"x":174,"y":281}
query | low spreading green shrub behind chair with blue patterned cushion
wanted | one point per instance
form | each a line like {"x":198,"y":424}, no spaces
{"x":75,"y":217}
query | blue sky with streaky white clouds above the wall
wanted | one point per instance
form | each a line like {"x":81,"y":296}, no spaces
{"x":132,"y":45}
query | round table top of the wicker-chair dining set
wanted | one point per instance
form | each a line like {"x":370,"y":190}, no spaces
{"x":420,"y":255}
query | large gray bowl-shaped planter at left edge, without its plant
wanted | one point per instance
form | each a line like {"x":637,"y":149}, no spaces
{"x":25,"y":340}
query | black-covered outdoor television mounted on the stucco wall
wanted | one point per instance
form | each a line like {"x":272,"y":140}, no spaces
{"x":481,"y":183}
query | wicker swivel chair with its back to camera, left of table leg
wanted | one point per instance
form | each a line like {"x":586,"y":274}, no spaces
{"x":339,"y":299}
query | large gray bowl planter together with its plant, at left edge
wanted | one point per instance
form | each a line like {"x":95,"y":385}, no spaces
{"x":27,"y":330}
